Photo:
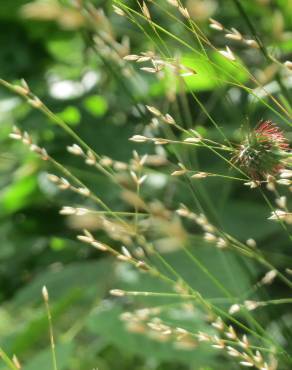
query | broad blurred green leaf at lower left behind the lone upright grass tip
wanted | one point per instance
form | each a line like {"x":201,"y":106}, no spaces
{"x":69,"y":287}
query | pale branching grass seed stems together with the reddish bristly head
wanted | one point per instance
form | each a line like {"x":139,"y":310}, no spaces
{"x":262,"y":157}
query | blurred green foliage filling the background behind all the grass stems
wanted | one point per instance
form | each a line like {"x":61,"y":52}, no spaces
{"x":38,"y":247}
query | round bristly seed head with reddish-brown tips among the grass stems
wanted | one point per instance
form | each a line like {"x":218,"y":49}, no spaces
{"x":262,"y":151}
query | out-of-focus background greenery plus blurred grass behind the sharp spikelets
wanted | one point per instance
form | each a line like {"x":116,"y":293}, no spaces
{"x":76,"y":68}
